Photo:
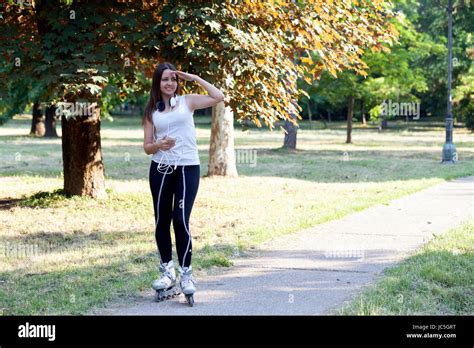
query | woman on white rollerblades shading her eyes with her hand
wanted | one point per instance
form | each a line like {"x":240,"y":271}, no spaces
{"x":170,"y":137}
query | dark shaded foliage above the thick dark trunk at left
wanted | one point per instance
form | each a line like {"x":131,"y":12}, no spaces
{"x":67,"y":51}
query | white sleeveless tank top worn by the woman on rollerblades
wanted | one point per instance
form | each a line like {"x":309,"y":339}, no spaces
{"x":178,"y":124}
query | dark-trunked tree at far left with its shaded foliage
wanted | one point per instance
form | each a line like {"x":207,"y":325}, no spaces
{"x":56,"y":51}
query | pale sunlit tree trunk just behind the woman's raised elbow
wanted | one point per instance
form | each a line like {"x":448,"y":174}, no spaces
{"x":221,"y":150}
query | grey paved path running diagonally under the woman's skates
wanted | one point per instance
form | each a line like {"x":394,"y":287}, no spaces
{"x":315,"y":271}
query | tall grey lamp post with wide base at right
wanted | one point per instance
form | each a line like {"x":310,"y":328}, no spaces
{"x":449,"y":150}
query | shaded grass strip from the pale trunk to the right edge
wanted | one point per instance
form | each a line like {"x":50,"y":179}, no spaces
{"x":355,"y":166}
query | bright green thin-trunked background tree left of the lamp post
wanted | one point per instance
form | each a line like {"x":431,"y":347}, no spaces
{"x":398,"y":75}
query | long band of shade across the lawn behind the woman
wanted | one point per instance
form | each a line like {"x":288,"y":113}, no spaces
{"x":328,"y":166}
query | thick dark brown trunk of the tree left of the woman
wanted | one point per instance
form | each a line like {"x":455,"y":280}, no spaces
{"x":82,"y":156}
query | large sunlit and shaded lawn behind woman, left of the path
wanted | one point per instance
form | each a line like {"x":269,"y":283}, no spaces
{"x":70,"y":255}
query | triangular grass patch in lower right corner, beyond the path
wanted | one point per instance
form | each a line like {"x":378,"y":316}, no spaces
{"x":437,"y":280}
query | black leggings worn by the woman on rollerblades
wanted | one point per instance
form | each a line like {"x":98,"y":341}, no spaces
{"x":181,"y":184}
